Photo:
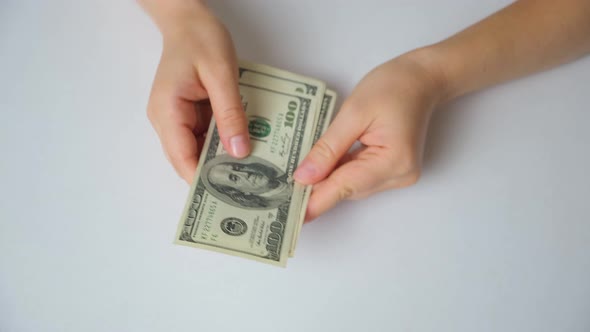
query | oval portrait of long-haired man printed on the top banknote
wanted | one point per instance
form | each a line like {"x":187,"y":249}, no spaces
{"x":251,"y":183}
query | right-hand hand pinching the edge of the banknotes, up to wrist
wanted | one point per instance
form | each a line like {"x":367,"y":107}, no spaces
{"x":388,"y":112}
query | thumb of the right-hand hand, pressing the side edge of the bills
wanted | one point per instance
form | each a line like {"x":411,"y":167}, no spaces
{"x":330,"y":148}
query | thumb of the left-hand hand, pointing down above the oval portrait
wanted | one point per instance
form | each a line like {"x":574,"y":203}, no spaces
{"x":222,"y":87}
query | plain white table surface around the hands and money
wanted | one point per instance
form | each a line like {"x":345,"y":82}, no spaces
{"x":494,"y":237}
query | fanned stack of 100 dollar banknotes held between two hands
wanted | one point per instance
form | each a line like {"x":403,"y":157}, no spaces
{"x":252,"y":207}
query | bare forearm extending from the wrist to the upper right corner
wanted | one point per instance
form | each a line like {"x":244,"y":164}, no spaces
{"x":525,"y":37}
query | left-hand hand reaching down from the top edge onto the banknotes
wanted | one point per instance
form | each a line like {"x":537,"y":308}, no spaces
{"x":198,"y":63}
